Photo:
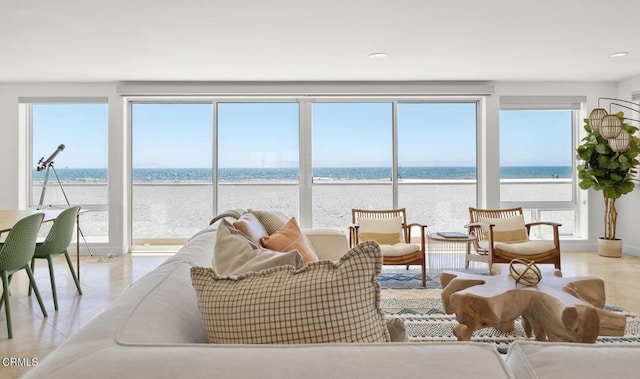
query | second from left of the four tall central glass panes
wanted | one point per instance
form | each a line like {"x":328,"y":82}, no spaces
{"x":258,"y":156}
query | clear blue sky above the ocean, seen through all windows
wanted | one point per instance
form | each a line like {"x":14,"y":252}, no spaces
{"x":266,"y":135}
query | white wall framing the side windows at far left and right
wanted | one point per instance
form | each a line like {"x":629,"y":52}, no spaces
{"x":10,"y":152}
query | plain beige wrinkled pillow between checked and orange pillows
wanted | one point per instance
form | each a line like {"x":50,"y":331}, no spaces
{"x":235,"y":254}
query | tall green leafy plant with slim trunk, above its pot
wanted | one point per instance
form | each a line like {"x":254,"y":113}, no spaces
{"x":601,"y":168}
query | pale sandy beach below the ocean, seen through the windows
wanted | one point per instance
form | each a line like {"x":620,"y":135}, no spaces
{"x":178,"y":210}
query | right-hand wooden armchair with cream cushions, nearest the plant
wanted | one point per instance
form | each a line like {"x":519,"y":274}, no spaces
{"x":502,"y":235}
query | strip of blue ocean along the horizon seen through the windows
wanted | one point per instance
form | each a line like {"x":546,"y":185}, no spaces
{"x":195,"y":175}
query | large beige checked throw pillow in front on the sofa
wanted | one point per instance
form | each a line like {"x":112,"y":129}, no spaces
{"x":323,"y":302}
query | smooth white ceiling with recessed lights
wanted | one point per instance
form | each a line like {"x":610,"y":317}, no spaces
{"x":322,"y":40}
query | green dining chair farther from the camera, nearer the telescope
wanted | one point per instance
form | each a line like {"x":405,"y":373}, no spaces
{"x":56,"y":243}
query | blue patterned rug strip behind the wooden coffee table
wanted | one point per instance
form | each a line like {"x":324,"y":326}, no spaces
{"x":407,"y":279}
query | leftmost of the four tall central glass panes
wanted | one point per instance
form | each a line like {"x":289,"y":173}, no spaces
{"x":171,"y":170}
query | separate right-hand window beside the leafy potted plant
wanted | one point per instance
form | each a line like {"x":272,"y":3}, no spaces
{"x":536,"y":164}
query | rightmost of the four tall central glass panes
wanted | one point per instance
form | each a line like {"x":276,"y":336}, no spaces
{"x":437,"y":163}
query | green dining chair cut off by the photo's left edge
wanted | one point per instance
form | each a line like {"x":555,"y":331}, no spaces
{"x":15,"y":254}
